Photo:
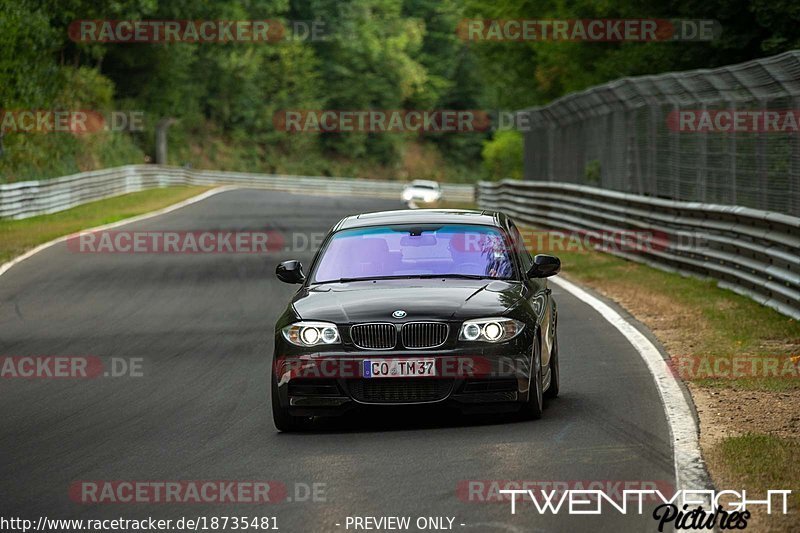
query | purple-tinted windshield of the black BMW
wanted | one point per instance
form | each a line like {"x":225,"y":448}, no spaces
{"x":415,"y":251}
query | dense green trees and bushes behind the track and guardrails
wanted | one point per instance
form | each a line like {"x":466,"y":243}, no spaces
{"x":377,"y":54}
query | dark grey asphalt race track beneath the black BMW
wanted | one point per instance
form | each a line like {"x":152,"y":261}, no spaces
{"x":202,"y":326}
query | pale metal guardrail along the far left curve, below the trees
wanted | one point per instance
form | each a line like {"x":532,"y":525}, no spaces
{"x":31,"y":198}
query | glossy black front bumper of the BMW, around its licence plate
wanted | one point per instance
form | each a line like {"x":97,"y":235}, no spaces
{"x":331,"y":383}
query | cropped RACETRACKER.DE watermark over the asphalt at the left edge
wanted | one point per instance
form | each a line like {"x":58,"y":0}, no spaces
{"x":36,"y":367}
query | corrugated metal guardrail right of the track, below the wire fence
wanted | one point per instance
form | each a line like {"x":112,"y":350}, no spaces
{"x":751,"y":252}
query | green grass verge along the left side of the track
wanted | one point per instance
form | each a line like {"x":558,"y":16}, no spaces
{"x":18,"y":236}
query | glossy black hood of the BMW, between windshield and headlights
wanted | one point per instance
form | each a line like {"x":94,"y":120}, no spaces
{"x":368,"y":301}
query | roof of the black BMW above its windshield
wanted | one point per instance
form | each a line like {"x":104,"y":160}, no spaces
{"x":422,"y":216}
